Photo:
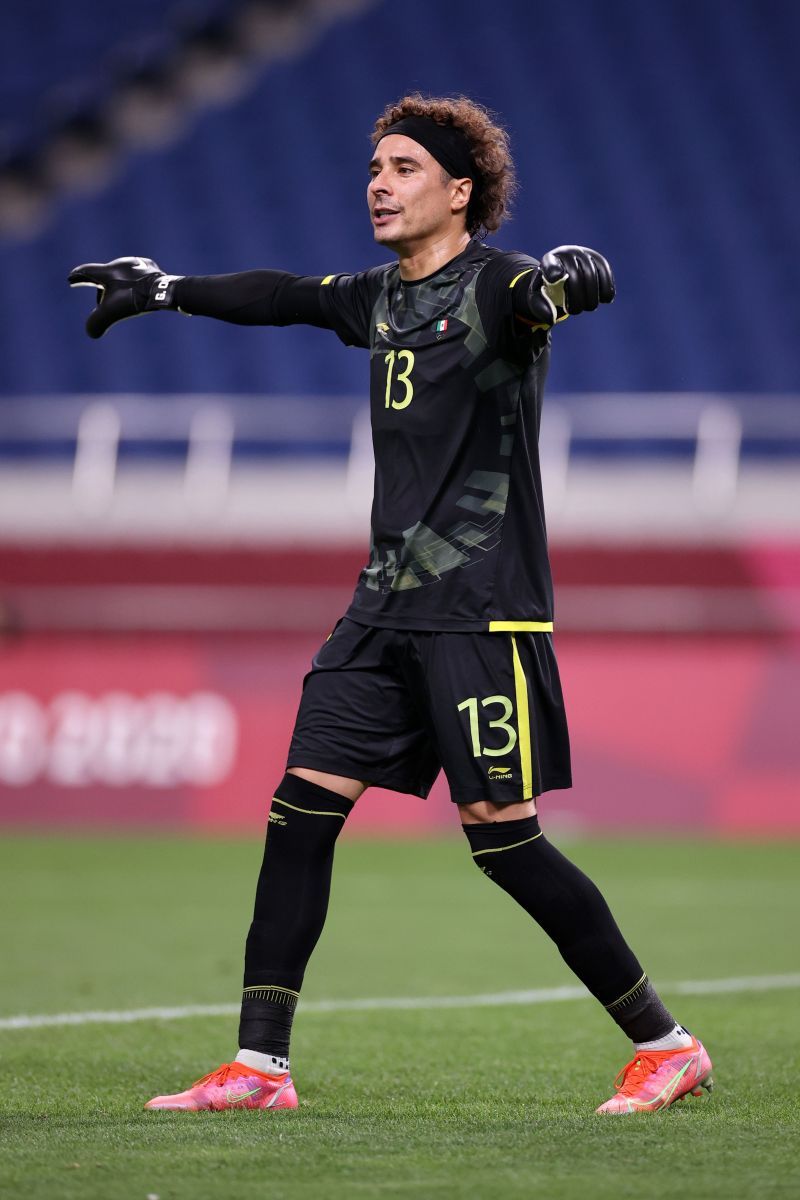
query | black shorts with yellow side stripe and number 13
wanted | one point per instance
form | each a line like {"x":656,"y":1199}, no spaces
{"x":394,"y":707}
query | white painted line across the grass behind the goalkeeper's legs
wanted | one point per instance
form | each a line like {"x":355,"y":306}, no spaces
{"x":490,"y":1000}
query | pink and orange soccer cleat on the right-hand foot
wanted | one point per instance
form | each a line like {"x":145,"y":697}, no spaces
{"x":655,"y":1079}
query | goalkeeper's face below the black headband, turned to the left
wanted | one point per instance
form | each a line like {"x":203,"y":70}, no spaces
{"x":411,"y":197}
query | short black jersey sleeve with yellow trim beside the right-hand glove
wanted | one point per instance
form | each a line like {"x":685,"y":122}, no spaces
{"x":501,"y":291}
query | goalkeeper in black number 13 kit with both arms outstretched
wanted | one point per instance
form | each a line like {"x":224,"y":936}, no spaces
{"x":444,"y":659}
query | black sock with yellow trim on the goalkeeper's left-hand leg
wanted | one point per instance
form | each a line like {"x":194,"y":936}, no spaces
{"x":291,"y":908}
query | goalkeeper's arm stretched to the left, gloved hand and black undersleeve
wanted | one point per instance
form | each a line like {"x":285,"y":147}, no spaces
{"x":130,"y":287}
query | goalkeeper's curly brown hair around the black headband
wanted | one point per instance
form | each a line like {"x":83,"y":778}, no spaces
{"x":489,"y":145}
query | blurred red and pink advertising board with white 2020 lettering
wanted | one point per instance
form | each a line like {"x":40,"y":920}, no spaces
{"x":179,"y":731}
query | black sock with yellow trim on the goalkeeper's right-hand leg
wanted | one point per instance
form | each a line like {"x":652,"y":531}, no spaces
{"x":570,"y":909}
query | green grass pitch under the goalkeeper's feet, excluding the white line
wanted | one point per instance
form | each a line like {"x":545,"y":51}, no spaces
{"x":432,"y":1103}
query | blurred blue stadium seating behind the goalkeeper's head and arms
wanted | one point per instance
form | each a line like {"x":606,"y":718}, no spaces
{"x":663,"y":133}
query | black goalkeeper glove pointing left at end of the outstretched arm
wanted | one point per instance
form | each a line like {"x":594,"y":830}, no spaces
{"x":127,"y":287}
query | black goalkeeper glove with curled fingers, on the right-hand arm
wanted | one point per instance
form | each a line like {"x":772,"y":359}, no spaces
{"x":570,"y":280}
